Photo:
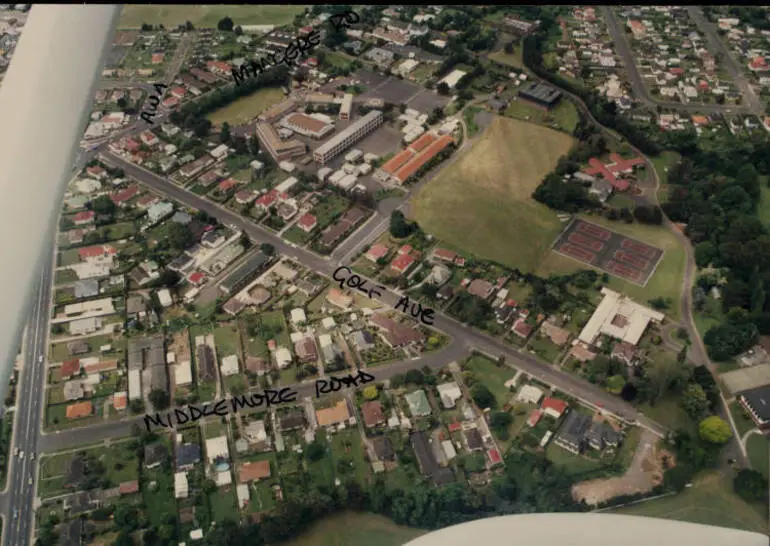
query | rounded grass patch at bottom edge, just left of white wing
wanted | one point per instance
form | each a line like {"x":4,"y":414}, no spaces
{"x":355,"y":528}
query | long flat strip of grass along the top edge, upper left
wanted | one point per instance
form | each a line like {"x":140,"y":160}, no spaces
{"x":207,"y":16}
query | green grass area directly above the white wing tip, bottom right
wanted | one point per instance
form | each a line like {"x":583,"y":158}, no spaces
{"x":710,"y":501}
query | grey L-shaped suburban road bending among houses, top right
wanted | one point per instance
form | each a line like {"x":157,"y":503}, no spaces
{"x":623,"y":49}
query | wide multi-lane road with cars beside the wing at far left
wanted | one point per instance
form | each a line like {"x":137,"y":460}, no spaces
{"x":17,"y":501}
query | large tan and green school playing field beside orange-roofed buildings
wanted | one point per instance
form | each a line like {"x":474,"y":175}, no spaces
{"x":483,"y":204}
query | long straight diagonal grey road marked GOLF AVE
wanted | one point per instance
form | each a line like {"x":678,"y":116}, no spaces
{"x":325,"y":266}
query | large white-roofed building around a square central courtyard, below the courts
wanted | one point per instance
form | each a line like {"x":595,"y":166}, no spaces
{"x":619,"y":317}
